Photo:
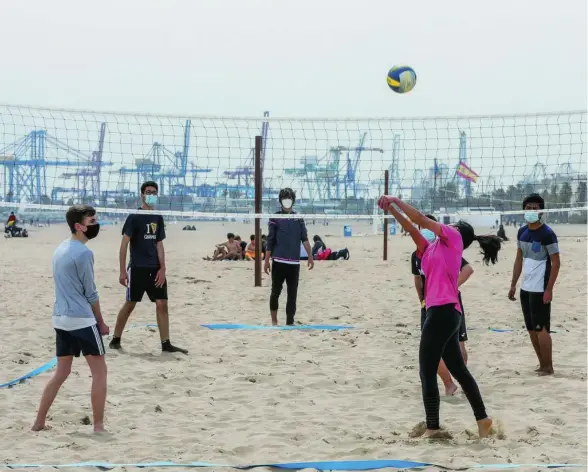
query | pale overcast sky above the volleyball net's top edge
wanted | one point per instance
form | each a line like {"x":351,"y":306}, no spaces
{"x":294,"y":58}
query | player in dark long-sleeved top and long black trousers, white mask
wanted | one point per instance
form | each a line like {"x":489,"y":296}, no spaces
{"x":283,"y":246}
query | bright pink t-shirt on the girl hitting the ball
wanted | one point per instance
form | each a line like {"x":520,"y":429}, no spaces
{"x":441,"y":264}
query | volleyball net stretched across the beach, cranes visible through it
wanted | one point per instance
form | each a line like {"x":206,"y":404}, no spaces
{"x":206,"y":166}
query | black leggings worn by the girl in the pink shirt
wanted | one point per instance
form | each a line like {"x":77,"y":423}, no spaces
{"x":440,"y":340}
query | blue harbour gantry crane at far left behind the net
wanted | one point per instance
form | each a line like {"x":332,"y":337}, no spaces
{"x":25,"y":163}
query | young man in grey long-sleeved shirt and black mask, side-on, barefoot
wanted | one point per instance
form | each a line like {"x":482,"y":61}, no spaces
{"x":77,"y":318}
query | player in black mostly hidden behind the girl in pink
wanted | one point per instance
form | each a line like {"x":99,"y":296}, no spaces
{"x":419,"y":283}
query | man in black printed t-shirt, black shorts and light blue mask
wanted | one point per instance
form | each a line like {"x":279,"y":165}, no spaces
{"x":145,"y":272}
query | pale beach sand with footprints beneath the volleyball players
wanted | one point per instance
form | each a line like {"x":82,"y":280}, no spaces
{"x":245,"y":396}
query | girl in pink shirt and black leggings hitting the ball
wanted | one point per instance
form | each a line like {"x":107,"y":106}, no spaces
{"x":441,"y":263}
